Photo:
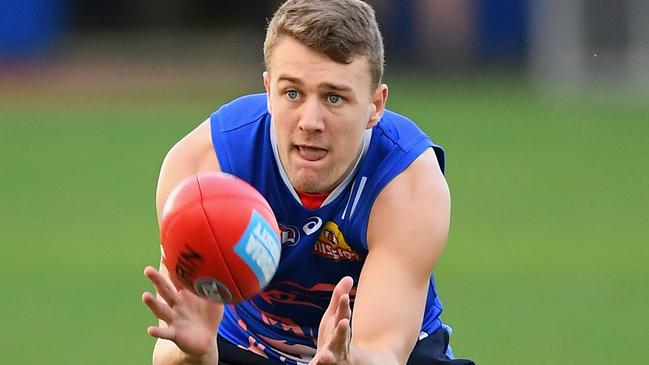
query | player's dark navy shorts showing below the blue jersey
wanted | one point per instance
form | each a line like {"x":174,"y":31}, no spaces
{"x":431,"y":350}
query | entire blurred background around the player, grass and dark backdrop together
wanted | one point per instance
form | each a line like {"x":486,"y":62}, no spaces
{"x":542,"y":106}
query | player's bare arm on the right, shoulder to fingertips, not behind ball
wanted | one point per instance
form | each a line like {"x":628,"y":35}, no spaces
{"x":406,"y":234}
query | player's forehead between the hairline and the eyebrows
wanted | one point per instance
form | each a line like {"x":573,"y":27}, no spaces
{"x":291,"y":59}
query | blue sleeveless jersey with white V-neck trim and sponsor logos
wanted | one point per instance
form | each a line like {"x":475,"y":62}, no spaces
{"x":319,"y":246}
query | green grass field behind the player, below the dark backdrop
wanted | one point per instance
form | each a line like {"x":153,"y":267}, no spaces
{"x":547,"y":261}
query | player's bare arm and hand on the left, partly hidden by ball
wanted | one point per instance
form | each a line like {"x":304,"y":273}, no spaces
{"x":187,"y":325}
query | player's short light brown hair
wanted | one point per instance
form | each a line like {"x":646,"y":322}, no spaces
{"x":340,"y":29}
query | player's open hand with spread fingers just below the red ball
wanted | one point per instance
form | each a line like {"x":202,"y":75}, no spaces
{"x":191,"y":321}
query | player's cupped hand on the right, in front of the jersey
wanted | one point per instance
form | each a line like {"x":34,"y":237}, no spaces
{"x":334,"y":333}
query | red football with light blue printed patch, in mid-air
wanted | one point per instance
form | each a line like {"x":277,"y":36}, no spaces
{"x":219,"y":237}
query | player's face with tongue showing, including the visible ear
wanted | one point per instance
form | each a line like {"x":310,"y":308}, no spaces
{"x":320,"y":110}
